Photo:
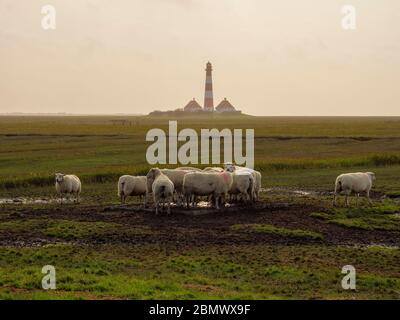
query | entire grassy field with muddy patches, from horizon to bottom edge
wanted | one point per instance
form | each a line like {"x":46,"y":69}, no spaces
{"x":294,"y":253}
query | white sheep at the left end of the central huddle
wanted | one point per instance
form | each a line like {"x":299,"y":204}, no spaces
{"x":132,"y":186}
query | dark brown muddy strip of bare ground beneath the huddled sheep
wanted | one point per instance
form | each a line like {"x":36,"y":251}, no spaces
{"x":183,"y":228}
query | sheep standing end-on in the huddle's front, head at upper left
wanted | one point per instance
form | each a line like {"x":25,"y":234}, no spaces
{"x":162,"y":188}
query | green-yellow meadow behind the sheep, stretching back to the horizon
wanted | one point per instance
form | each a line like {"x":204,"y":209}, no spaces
{"x":293,"y":152}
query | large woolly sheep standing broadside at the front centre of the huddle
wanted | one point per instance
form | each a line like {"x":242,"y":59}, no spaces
{"x":215,"y":184}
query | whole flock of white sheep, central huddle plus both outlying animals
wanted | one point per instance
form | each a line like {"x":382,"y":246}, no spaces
{"x":186,"y":185}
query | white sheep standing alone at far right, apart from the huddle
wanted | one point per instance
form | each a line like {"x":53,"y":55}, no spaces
{"x":354,"y":182}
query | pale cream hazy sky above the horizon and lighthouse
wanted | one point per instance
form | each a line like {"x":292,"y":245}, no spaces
{"x":280,"y":57}
